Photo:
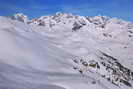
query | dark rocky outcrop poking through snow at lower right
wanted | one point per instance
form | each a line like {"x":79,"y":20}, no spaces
{"x":116,"y":73}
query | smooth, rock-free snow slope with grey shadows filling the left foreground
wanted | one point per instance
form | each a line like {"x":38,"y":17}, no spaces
{"x":30,"y":61}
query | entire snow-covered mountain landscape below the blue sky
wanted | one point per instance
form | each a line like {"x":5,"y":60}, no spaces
{"x":66,"y":51}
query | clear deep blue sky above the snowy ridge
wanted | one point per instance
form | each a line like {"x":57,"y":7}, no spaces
{"x":34,"y":8}
